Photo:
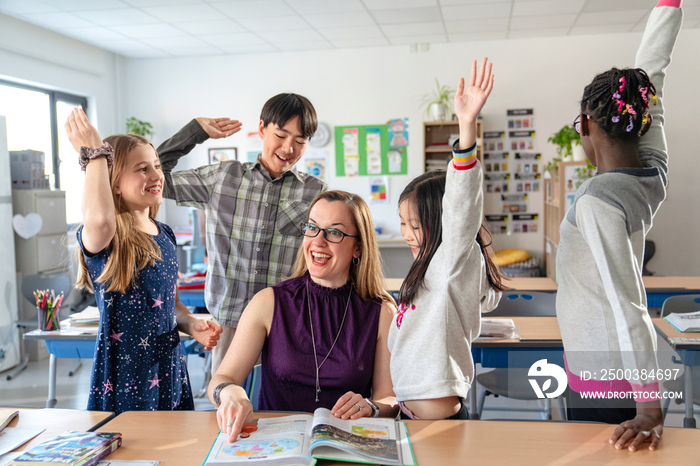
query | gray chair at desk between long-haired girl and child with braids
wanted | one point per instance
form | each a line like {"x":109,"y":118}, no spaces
{"x":513,"y":383}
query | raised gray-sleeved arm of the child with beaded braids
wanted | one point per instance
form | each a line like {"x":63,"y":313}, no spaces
{"x":654,"y":56}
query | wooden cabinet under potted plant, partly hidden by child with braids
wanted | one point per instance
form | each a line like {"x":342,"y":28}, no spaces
{"x":559,"y":192}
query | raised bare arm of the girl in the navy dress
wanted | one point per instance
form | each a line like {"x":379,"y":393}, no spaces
{"x":99,"y":219}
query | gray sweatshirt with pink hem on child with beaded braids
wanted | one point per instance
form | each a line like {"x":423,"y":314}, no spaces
{"x":601,"y":302}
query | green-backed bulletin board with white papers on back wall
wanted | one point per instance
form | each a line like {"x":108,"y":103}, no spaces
{"x":365,"y":151}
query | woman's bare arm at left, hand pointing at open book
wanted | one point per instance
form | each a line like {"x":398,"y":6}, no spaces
{"x":235,"y":408}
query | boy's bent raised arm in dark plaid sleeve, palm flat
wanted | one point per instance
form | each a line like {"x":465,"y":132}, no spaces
{"x":195,"y":132}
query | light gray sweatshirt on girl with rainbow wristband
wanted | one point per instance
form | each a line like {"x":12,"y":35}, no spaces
{"x":431,"y":348}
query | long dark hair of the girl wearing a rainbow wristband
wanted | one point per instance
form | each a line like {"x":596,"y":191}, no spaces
{"x":426,"y":192}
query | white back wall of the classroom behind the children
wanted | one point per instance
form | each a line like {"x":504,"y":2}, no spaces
{"x":372,"y":85}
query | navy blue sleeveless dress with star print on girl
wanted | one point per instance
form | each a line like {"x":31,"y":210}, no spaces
{"x":138,"y":363}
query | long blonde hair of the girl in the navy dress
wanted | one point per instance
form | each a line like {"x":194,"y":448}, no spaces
{"x":131,"y":249}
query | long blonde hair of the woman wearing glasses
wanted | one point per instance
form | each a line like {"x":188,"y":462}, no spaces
{"x":367,"y":276}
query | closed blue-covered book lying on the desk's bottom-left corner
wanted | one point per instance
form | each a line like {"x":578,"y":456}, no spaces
{"x":71,"y":448}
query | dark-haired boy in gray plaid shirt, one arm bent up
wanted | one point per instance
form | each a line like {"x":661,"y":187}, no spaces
{"x":254,"y":210}
